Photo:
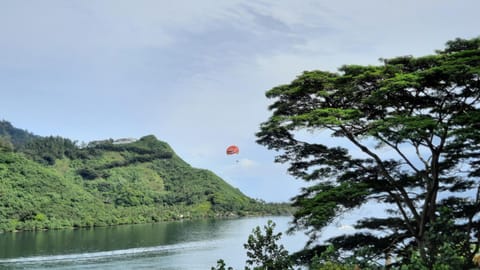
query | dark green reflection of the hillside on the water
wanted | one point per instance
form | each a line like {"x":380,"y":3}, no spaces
{"x":27,"y":244}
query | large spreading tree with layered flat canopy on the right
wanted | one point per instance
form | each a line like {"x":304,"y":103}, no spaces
{"x":412,"y":125}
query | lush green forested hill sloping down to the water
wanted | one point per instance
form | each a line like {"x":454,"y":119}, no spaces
{"x":51,"y":183}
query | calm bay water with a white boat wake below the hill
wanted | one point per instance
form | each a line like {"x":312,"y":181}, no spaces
{"x":172,"y":245}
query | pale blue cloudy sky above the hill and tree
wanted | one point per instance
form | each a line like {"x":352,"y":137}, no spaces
{"x":194,"y":73}
